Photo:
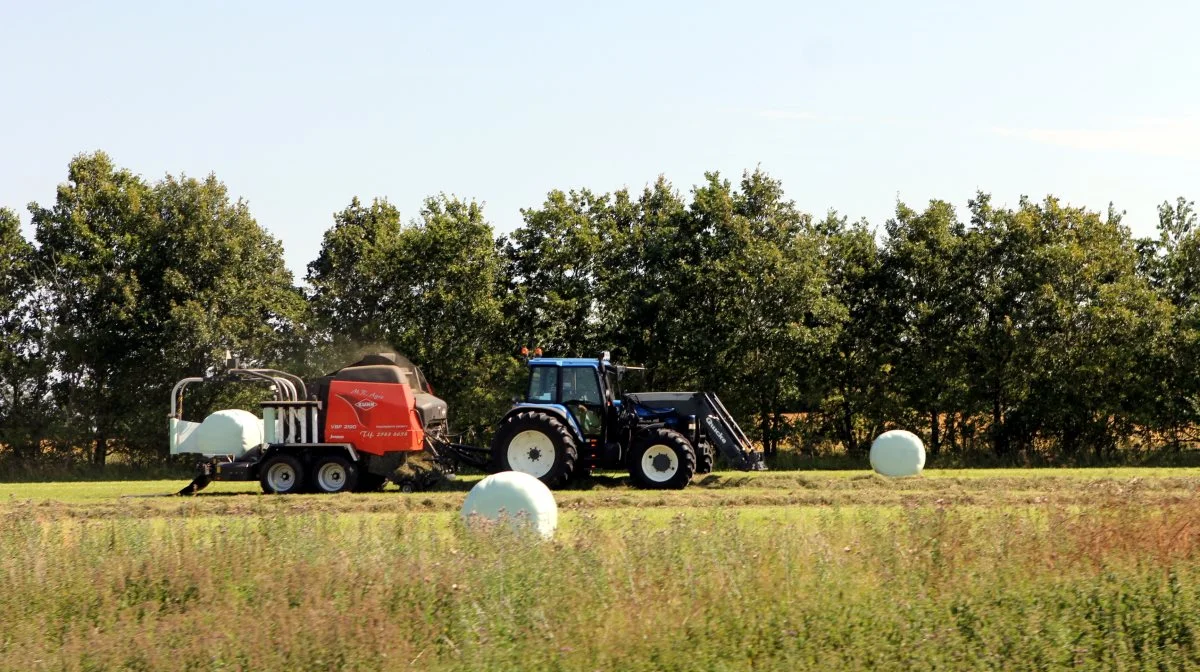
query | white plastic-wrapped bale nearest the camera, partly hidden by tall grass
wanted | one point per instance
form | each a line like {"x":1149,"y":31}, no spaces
{"x":515,"y":499}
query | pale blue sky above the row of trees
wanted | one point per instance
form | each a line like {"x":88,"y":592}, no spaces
{"x":299,"y":107}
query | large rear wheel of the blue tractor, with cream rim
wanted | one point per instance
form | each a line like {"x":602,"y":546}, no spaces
{"x":538,"y":445}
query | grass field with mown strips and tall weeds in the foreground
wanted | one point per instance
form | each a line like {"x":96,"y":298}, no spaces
{"x":785,"y":571}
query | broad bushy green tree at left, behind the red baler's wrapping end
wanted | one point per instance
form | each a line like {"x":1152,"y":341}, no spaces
{"x":149,"y":284}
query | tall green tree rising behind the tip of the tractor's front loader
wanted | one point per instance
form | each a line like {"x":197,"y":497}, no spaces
{"x":765,"y":286}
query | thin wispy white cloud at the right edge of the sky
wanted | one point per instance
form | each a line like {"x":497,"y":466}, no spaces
{"x":1174,"y":137}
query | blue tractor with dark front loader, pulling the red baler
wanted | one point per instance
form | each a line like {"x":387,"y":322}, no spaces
{"x":575,"y":419}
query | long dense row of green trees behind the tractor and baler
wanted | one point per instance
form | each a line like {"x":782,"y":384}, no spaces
{"x":1039,"y":331}
